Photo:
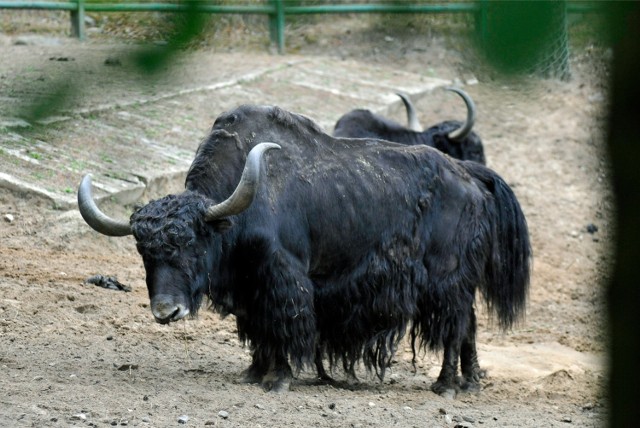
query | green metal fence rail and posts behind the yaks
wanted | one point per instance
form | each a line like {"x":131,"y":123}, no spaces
{"x":276,"y":10}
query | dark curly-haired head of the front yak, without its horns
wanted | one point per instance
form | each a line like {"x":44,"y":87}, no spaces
{"x":179,"y":249}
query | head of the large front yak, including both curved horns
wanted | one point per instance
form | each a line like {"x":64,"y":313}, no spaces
{"x":178,"y":237}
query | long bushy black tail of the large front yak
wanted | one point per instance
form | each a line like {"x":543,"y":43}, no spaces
{"x":506,"y":284}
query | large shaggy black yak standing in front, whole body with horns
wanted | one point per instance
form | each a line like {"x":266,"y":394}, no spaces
{"x":339,"y":250}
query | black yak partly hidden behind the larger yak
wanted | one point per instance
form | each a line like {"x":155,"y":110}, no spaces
{"x":452,"y":137}
